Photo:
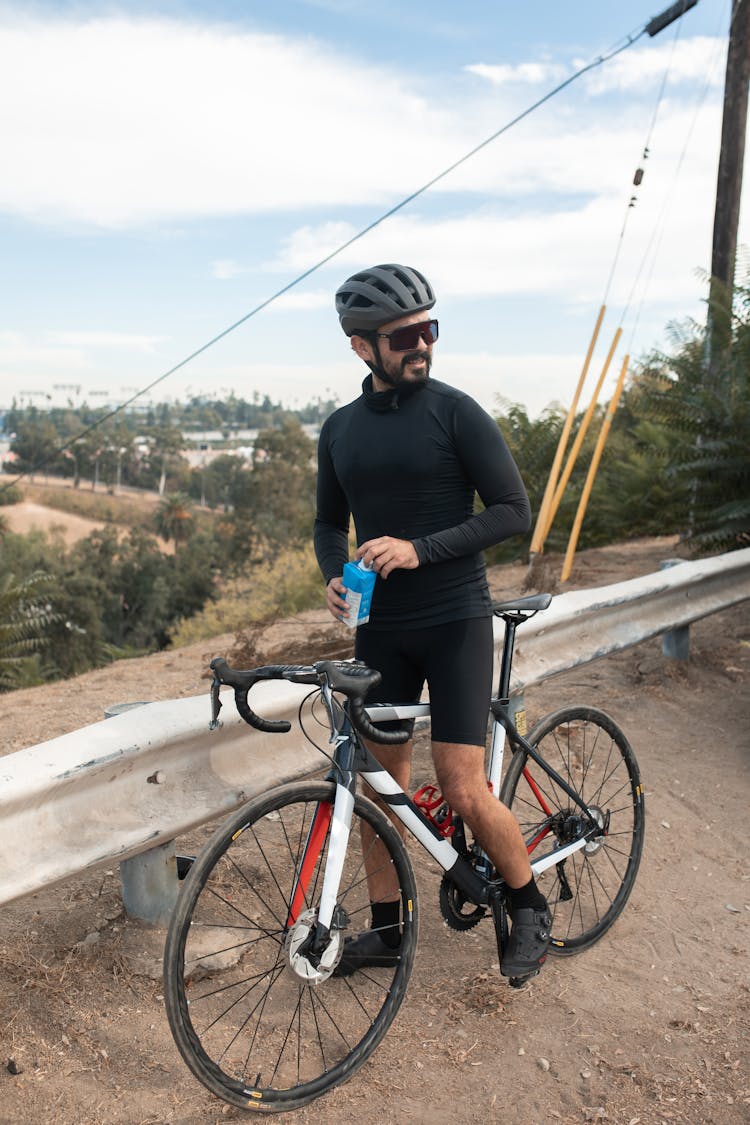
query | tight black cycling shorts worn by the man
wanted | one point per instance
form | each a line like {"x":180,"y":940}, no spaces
{"x":455,"y":659}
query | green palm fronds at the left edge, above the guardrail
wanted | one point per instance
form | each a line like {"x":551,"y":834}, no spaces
{"x":25,"y":616}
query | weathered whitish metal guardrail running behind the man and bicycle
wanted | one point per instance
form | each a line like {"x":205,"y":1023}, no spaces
{"x":131,"y":785}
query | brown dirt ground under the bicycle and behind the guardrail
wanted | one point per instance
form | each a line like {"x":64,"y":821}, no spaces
{"x":649,"y":1027}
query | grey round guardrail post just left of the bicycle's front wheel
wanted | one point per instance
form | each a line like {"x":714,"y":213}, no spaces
{"x":149,"y":881}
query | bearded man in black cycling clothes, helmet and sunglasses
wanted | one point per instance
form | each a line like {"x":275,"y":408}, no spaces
{"x":405,"y":461}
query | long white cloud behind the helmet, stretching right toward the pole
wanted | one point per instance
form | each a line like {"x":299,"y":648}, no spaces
{"x":545,"y":251}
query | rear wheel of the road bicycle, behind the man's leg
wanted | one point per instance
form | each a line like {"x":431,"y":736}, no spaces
{"x":588,"y":892}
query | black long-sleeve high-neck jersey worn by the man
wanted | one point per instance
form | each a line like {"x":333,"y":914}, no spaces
{"x":408,"y":463}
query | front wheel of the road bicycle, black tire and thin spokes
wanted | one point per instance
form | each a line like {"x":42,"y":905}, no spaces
{"x":247,"y":1025}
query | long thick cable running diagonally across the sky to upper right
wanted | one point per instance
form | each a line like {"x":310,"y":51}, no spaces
{"x":652,"y":29}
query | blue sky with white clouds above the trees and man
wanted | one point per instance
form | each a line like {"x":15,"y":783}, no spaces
{"x":168,"y":167}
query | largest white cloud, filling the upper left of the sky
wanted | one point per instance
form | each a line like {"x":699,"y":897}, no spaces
{"x":121,"y":121}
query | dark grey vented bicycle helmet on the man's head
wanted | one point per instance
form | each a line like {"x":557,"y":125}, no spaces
{"x":382,"y":294}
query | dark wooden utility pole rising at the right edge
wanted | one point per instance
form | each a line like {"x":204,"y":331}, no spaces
{"x":729,"y":184}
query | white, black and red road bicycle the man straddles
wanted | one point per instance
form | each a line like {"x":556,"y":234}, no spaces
{"x":252,"y":997}
